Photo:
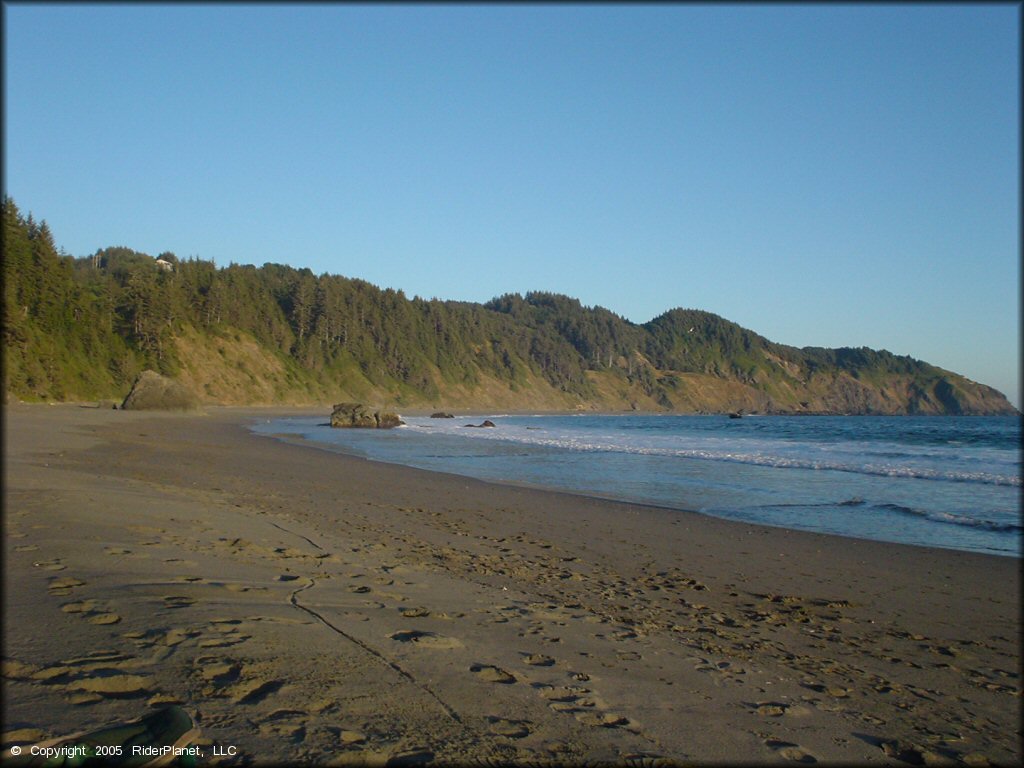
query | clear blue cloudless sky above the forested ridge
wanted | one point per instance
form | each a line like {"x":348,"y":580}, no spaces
{"x":828,"y":176}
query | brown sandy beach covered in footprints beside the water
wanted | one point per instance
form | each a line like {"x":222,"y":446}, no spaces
{"x":306,"y":607}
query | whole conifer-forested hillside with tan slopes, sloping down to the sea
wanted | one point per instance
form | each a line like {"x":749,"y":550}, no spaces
{"x":79,"y":329}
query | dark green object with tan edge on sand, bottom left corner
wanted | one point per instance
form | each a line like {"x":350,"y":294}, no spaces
{"x":156,"y":740}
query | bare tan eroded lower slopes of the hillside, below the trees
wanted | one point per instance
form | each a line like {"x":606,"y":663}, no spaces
{"x":242,"y":371}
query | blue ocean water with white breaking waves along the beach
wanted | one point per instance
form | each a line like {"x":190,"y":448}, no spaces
{"x":941,"y":482}
